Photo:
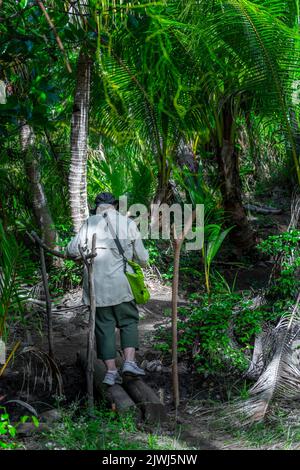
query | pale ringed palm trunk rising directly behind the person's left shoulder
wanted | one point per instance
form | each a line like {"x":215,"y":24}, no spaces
{"x":79,"y":138}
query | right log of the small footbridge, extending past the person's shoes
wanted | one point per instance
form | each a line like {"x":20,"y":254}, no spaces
{"x":152,"y":409}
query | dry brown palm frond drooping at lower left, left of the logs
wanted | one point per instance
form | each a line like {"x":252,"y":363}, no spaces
{"x":40,"y":367}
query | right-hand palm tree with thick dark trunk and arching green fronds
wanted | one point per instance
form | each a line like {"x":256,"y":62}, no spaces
{"x":247,"y":57}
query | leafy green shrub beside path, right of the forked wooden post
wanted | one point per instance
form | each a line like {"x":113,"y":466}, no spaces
{"x":215,"y":333}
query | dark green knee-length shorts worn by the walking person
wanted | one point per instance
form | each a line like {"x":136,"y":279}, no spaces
{"x":124,"y":316}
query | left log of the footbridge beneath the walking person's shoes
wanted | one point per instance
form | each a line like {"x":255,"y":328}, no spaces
{"x":116,"y":395}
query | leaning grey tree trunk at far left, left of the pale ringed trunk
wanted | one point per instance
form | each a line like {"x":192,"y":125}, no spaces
{"x":38,"y":197}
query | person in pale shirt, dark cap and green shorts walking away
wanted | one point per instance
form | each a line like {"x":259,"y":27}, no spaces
{"x":115,"y":304}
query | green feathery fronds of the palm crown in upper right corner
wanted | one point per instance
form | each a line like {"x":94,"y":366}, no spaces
{"x":252,"y":53}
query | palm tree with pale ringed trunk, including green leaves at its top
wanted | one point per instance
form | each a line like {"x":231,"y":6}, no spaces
{"x":108,"y":18}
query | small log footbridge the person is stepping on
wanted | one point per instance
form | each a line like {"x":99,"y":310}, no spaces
{"x":134,"y":395}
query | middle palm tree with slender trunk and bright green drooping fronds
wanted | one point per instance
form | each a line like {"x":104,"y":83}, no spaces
{"x":147,"y":91}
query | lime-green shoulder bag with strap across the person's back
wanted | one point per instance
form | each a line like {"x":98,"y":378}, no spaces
{"x":135,"y":279}
